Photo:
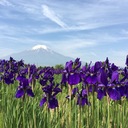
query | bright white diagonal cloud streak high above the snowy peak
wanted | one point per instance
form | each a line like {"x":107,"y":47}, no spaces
{"x":49,"y":13}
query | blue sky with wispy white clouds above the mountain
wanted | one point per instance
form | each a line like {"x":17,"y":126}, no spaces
{"x":89,"y":29}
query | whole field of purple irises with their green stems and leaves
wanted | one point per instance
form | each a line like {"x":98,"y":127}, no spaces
{"x":89,"y":96}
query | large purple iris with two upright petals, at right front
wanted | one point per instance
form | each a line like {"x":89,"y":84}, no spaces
{"x":108,"y":85}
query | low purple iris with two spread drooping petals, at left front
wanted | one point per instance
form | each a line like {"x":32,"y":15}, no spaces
{"x":24,"y":88}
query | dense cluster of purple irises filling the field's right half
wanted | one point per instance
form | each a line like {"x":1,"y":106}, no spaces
{"x":102,"y":78}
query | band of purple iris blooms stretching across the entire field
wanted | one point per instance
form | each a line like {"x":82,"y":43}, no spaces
{"x":102,"y":78}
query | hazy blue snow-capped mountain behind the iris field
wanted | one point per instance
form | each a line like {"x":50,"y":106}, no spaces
{"x":40,"y":55}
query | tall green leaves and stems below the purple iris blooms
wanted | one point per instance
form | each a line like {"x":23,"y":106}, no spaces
{"x":17,"y":113}
